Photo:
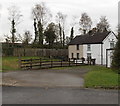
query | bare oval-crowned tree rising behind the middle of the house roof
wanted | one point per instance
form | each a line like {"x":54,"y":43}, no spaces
{"x":85,"y":23}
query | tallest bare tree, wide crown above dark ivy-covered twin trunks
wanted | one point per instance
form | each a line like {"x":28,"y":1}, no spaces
{"x":41,"y":15}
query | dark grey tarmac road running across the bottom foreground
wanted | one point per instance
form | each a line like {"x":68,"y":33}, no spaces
{"x":36,"y":95}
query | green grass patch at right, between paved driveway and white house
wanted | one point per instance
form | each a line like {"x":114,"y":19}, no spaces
{"x":101,"y":77}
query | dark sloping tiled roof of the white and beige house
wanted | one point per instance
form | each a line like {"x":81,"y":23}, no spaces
{"x":96,"y":38}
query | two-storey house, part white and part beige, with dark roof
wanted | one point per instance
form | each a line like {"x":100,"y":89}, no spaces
{"x":96,"y":45}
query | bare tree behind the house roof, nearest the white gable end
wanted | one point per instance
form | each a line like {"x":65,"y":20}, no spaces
{"x":103,"y":24}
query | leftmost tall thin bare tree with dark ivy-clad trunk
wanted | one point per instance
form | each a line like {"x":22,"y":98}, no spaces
{"x":14,"y":18}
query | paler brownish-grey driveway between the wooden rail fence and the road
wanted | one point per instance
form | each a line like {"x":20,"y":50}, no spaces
{"x":68,"y":77}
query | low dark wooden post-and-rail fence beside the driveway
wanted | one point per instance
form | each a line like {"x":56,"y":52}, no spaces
{"x":45,"y":63}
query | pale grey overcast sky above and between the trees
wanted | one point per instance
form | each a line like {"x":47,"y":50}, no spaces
{"x":94,"y":8}
